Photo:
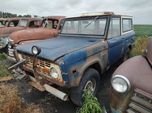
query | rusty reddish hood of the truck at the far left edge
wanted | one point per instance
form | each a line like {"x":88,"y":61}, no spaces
{"x":5,"y":31}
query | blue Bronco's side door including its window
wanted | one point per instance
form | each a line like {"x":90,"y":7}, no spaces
{"x":115,"y":41}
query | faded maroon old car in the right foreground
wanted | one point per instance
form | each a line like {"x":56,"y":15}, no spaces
{"x":131,"y":90}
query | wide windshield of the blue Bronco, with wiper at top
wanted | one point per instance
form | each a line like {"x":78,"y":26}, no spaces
{"x":93,"y":26}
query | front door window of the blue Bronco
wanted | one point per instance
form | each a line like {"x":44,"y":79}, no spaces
{"x":114,"y":28}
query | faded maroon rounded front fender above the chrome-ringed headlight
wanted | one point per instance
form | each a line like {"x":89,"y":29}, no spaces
{"x":138,"y":71}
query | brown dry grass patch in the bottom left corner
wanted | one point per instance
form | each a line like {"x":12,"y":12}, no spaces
{"x":10,"y":102}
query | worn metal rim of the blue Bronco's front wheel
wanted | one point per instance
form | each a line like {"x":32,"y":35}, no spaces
{"x":90,"y":86}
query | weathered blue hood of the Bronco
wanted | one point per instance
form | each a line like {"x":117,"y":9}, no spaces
{"x":52,"y":49}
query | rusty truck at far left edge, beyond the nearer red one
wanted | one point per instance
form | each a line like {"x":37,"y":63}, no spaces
{"x":23,"y":23}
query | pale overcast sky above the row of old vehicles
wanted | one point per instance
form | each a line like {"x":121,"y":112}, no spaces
{"x":141,"y":10}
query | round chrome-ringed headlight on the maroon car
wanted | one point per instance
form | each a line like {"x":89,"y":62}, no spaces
{"x":120,"y":83}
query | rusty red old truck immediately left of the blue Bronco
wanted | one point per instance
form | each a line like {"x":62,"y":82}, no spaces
{"x":50,"y":28}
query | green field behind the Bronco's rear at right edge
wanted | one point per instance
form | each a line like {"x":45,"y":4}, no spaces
{"x":143,"y":30}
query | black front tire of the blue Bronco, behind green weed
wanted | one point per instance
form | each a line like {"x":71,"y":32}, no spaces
{"x":91,"y":75}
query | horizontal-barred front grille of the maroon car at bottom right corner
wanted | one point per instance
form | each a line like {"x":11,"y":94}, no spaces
{"x":141,"y":102}
